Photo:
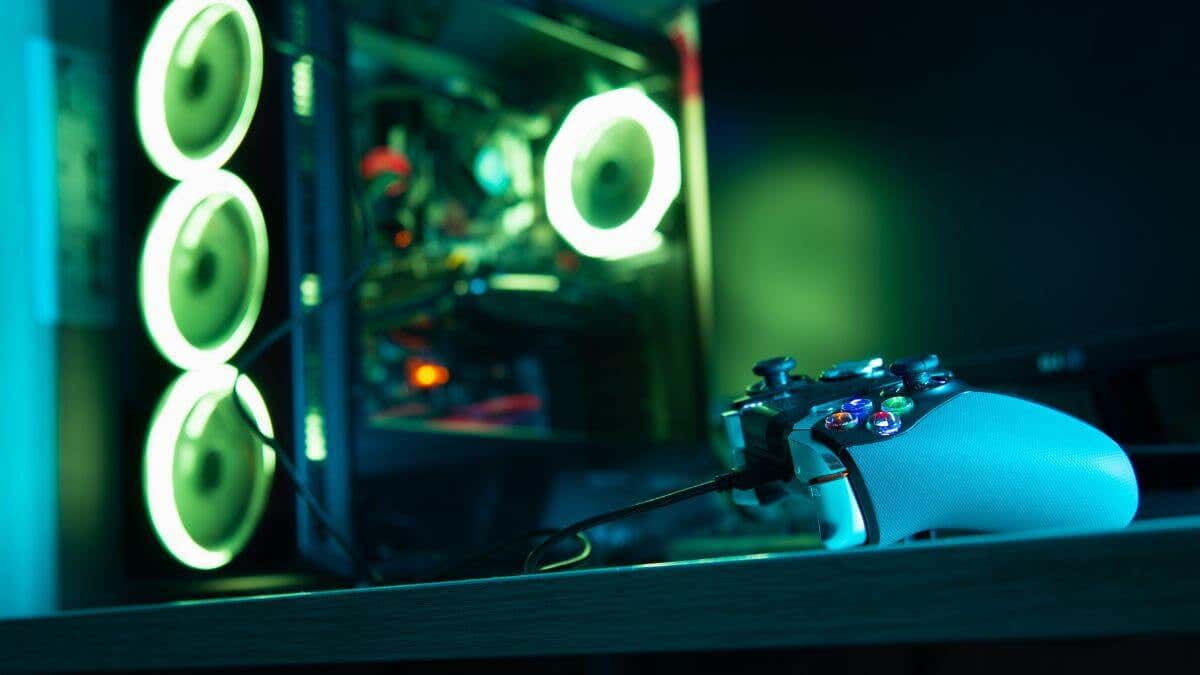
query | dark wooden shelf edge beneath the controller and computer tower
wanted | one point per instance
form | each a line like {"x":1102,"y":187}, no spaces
{"x":1136,"y":582}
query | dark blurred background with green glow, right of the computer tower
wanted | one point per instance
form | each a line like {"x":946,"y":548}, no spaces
{"x":897,"y":178}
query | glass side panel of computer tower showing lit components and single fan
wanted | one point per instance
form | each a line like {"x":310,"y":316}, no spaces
{"x":493,"y":314}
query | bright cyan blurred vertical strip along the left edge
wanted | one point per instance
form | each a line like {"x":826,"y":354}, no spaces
{"x":28,"y":342}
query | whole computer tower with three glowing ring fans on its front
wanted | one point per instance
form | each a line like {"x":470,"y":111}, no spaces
{"x":477,"y":347}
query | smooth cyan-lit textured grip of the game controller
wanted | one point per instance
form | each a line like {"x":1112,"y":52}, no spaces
{"x":993,"y":463}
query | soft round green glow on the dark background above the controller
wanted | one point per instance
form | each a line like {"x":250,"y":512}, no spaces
{"x":817,"y":224}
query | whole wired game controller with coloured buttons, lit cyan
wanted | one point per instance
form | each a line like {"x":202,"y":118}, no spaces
{"x":886,"y":455}
